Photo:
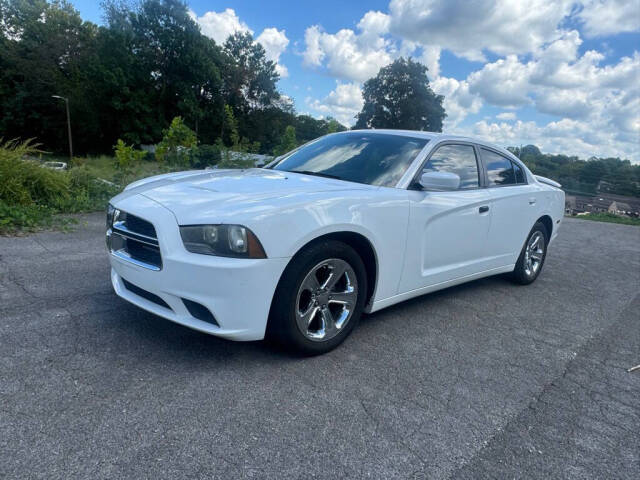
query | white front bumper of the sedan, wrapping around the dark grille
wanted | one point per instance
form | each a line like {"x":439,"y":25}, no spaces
{"x":238,"y":292}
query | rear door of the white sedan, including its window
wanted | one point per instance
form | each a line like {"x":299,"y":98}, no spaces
{"x":513,"y":206}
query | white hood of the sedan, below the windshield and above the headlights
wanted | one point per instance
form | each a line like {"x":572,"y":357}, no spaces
{"x":216,"y":195}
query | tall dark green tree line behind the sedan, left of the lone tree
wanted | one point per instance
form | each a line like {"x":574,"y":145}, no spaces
{"x":129,"y":78}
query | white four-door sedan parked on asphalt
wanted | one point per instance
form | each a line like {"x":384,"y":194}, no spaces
{"x":349,"y":223}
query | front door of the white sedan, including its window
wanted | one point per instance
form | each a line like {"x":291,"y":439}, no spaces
{"x":447,"y":230}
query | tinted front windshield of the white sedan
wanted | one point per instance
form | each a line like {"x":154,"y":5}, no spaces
{"x":362,"y":157}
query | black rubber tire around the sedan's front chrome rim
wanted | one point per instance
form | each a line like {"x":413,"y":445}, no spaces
{"x":283,"y":326}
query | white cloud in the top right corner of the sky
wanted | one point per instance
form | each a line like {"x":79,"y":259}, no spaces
{"x":607,"y":17}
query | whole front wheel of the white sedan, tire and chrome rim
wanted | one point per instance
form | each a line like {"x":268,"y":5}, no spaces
{"x":319,"y":299}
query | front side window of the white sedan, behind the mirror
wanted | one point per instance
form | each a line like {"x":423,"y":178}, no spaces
{"x":458,"y":159}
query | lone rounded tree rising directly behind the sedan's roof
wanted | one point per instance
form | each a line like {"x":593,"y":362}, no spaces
{"x":400,"y":97}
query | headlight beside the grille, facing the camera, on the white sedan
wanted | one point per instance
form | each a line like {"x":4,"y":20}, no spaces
{"x":222,"y":241}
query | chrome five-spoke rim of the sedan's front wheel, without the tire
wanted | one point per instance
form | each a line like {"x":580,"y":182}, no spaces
{"x":326,"y":299}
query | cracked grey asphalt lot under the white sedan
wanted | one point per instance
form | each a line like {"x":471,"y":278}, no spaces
{"x":484,"y":380}
